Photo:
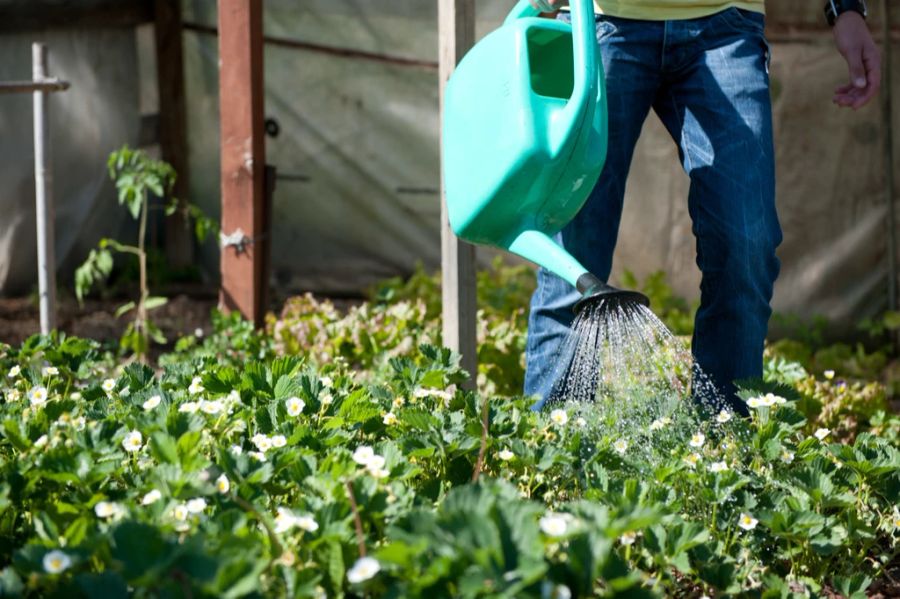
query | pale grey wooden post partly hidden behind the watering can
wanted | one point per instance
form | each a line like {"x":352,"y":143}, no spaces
{"x":456,"y":28}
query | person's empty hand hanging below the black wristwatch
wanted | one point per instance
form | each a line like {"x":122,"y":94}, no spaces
{"x":856,"y":45}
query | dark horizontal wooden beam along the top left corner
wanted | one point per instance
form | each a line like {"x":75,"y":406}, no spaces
{"x":31,"y":15}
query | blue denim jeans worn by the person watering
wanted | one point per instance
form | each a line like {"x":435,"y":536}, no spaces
{"x":707,"y":80}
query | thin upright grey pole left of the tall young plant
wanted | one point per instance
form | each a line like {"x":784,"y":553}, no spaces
{"x":43,"y":191}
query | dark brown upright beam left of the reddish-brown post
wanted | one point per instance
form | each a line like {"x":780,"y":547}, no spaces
{"x":173,"y":124}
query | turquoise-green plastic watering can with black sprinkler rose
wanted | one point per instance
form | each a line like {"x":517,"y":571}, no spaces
{"x":524,"y":140}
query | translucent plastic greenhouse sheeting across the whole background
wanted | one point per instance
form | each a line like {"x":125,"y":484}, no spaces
{"x":357,"y":155}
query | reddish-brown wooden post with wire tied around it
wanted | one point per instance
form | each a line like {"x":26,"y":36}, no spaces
{"x":243,"y":157}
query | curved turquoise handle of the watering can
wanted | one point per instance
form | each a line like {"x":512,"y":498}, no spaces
{"x":584,"y":46}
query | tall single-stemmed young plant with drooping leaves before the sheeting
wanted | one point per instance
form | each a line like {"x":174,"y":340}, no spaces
{"x":136,"y":177}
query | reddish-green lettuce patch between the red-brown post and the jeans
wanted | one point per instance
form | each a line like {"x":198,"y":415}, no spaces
{"x":405,"y":314}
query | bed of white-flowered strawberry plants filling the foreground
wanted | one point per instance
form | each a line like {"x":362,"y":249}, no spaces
{"x":272,"y":478}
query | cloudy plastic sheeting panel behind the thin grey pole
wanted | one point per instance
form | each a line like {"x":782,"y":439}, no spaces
{"x":97,"y":114}
